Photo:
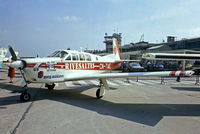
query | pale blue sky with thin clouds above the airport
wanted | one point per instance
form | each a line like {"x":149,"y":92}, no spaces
{"x":43,"y":26}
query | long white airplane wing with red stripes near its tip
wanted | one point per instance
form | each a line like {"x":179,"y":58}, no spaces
{"x":127,"y":75}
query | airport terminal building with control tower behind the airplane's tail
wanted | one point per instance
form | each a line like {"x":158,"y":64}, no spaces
{"x":135,"y":50}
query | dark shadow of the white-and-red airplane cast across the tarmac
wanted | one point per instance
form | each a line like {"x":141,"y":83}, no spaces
{"x":148,"y":114}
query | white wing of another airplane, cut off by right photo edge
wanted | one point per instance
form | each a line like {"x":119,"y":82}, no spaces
{"x":168,"y":56}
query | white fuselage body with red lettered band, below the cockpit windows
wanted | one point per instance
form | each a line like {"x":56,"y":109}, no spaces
{"x":53,"y":70}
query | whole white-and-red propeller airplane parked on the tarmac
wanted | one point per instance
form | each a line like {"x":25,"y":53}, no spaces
{"x":68,"y":65}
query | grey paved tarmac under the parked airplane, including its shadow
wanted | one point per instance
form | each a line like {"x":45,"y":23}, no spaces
{"x":143,"y":107}
